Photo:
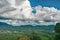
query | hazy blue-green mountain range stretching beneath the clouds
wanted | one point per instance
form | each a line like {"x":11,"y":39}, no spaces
{"x":4,"y":26}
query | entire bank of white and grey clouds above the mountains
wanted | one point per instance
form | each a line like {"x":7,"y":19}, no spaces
{"x":19,"y":12}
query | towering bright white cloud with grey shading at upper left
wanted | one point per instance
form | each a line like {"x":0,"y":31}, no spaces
{"x":15,"y":11}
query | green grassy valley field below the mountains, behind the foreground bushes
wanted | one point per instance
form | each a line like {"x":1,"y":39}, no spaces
{"x":43,"y":35}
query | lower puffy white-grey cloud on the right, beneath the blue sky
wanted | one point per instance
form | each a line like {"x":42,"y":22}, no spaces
{"x":47,"y":13}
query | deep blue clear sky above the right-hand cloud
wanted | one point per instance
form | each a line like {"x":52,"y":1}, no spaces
{"x":46,"y":3}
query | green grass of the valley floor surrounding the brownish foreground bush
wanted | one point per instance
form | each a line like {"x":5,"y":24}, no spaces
{"x":14,"y":36}
